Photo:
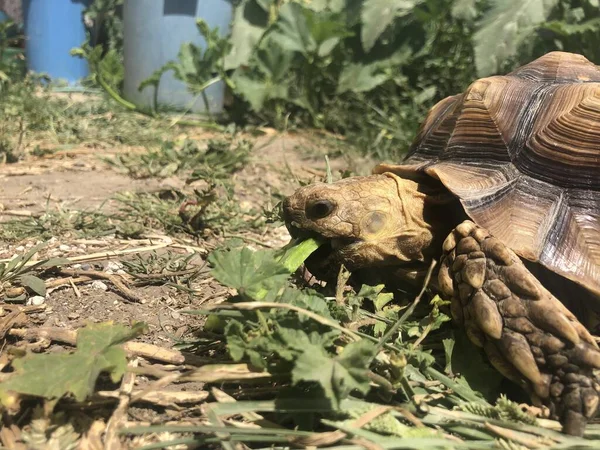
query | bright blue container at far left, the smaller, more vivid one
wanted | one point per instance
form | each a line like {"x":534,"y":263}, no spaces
{"x":52,"y":29}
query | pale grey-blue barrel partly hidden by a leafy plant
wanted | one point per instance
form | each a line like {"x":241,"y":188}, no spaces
{"x":153,"y":33}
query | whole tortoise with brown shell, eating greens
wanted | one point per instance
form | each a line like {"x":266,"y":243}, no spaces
{"x":502,"y":186}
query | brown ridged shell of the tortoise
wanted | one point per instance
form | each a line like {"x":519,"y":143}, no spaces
{"x":522,"y":154}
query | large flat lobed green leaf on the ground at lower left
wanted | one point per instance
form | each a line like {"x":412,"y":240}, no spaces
{"x":54,"y":375}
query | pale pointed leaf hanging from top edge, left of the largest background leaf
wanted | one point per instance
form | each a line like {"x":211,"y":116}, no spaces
{"x":377,"y":15}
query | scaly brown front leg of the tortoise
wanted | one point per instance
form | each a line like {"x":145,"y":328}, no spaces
{"x":528,"y":334}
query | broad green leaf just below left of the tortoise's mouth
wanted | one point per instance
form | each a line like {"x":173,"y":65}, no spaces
{"x":254,"y":274}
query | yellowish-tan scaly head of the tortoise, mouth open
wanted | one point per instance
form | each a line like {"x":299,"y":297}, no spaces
{"x":367,"y":222}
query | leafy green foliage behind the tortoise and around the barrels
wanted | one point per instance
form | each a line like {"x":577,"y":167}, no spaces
{"x":368,"y":69}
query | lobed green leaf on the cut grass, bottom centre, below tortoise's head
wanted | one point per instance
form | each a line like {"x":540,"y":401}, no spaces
{"x":337,"y":376}
